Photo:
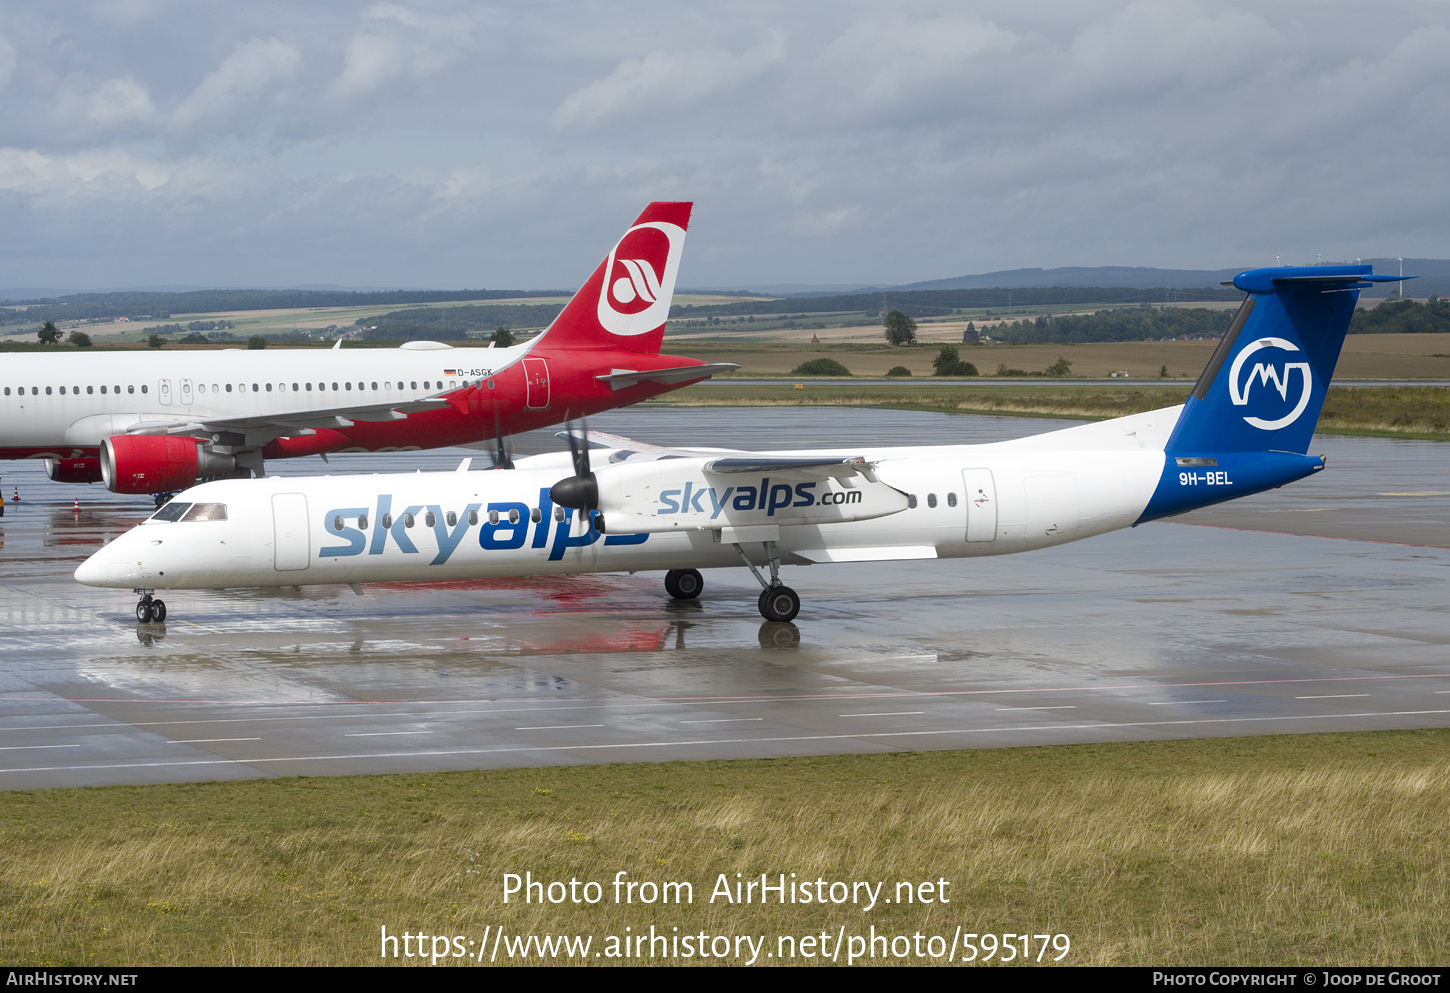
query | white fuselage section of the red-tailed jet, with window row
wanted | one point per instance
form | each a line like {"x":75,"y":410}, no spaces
{"x":60,"y":404}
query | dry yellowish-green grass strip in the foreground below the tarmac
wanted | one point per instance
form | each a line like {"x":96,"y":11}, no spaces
{"x":1274,"y":850}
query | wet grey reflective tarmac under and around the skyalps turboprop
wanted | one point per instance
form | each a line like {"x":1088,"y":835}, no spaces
{"x":1314,"y":608}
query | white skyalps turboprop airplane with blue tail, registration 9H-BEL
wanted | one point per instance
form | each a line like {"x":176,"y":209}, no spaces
{"x":1245,"y":428}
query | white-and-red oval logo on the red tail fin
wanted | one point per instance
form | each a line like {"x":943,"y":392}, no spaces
{"x":640,"y":279}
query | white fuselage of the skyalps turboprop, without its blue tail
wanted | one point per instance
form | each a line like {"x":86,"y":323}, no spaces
{"x":964,"y":501}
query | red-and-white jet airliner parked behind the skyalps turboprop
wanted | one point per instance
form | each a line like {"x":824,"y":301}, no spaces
{"x":152,"y":423}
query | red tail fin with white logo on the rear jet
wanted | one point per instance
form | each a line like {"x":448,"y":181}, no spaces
{"x":627,"y":301}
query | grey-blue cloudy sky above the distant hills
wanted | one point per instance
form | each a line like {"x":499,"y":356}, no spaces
{"x":440,"y":144}
